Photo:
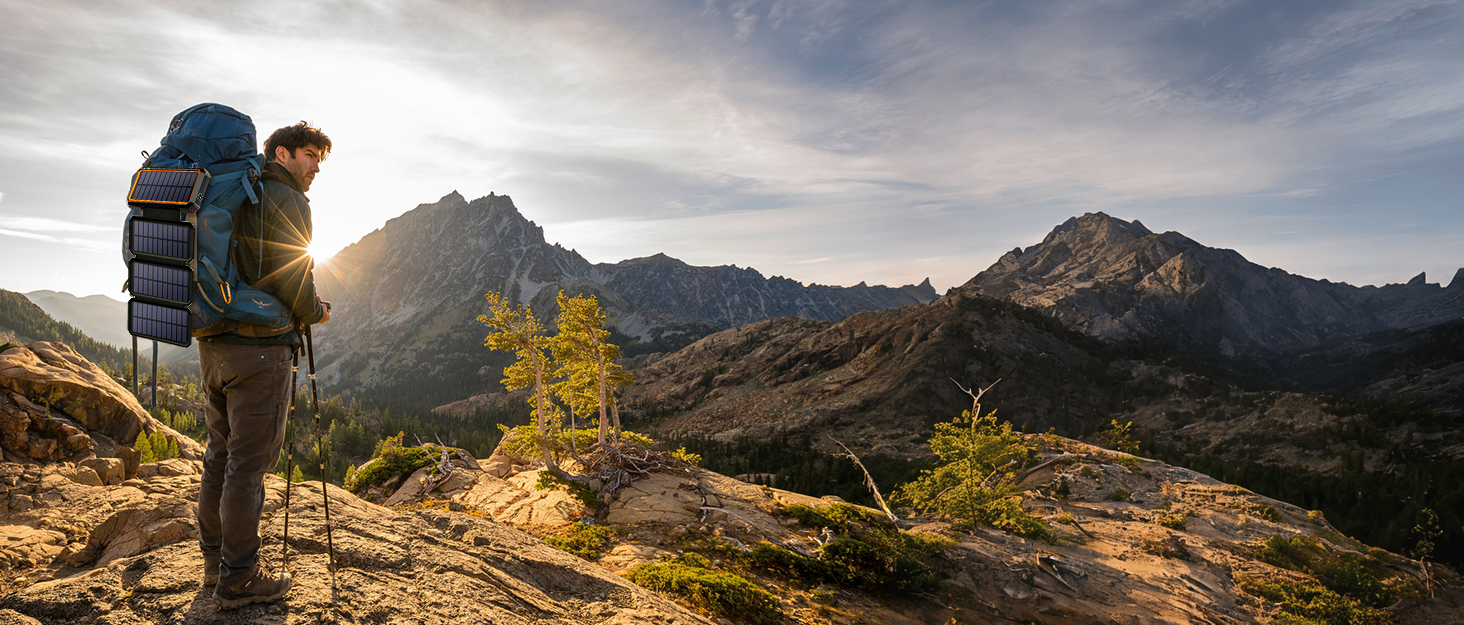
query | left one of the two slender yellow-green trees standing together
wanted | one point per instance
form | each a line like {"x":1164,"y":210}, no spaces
{"x":518,"y":332}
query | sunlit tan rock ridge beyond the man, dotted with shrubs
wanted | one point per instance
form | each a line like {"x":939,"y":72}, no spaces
{"x":1173,"y":551}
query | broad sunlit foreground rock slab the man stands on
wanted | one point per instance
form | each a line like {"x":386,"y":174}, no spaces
{"x":143,"y":566}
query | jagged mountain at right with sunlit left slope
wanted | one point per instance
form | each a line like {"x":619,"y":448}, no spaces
{"x":1116,"y":280}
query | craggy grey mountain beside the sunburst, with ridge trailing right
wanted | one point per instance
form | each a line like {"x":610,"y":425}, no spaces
{"x":406,"y":298}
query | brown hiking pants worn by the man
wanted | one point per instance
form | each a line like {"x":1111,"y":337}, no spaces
{"x":247,"y":393}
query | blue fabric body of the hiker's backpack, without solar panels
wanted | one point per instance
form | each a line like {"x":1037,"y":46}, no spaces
{"x":220,"y":141}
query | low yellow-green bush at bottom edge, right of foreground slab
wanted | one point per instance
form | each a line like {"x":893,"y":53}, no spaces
{"x":717,"y":592}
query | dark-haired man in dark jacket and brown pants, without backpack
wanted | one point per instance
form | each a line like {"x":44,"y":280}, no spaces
{"x":247,"y":373}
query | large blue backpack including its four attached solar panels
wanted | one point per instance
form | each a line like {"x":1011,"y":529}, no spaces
{"x":216,"y":146}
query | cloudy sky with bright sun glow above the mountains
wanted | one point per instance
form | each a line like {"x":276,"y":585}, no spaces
{"x":825,"y":141}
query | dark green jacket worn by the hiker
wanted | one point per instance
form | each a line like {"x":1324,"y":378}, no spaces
{"x":272,"y":255}
